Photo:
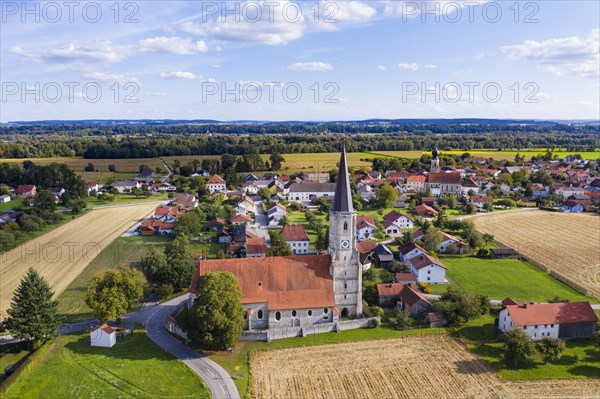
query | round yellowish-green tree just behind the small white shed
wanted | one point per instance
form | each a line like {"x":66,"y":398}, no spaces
{"x":110,"y":294}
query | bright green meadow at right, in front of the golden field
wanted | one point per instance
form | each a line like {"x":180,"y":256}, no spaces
{"x":501,"y":278}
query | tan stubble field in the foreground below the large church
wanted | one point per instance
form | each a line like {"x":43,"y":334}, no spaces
{"x":416,"y":367}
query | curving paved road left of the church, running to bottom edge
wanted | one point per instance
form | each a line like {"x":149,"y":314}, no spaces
{"x":215,"y":377}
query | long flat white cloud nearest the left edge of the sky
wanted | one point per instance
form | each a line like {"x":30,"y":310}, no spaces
{"x":103,"y":51}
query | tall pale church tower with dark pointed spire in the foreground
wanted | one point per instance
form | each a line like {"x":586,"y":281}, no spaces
{"x":345,"y":268}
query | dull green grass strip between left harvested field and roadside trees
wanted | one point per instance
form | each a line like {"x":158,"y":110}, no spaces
{"x":122,"y":252}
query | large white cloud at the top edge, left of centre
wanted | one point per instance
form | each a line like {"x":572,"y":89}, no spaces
{"x":269,"y":28}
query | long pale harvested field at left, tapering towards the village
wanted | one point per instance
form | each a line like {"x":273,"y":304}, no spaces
{"x":62,"y":254}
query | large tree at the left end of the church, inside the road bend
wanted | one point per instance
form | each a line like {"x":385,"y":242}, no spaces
{"x":216,"y":319}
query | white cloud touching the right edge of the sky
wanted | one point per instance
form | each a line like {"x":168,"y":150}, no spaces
{"x":564,"y":56}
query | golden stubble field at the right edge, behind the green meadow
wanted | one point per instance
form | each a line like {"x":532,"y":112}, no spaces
{"x":565,"y":243}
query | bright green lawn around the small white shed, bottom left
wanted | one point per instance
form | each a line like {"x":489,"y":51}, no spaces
{"x":134,"y":367}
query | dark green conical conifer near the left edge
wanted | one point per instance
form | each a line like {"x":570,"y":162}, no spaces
{"x":33,"y":315}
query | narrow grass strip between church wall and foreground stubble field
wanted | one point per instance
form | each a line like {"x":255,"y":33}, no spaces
{"x":238,"y":363}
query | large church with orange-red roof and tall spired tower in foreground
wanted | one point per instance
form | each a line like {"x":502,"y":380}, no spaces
{"x":304,"y":290}
